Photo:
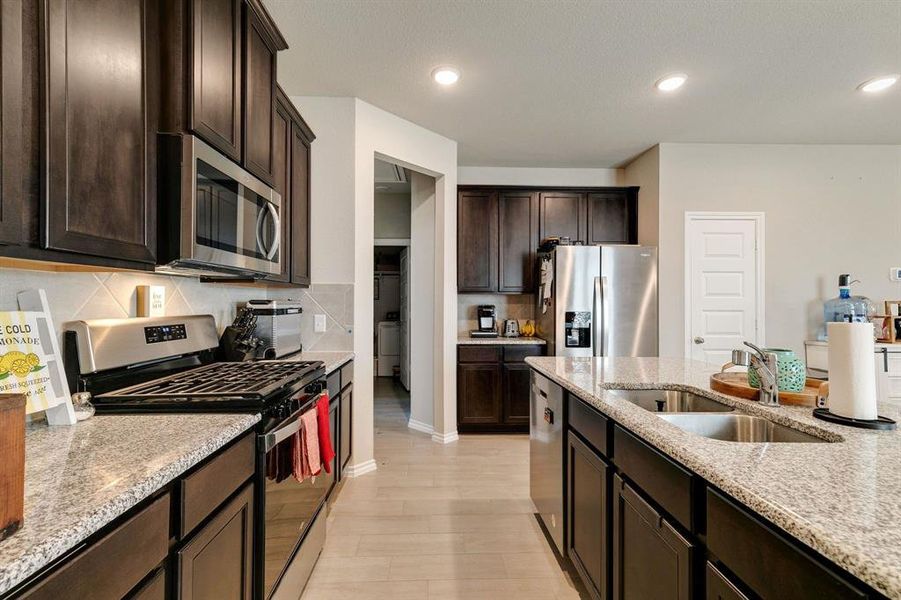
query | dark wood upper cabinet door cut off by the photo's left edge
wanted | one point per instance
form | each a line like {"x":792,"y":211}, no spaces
{"x":12,"y":94}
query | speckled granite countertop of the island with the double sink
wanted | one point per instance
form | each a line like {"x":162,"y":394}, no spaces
{"x":842,"y":499}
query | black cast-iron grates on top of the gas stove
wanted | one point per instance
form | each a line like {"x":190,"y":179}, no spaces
{"x":251,"y":380}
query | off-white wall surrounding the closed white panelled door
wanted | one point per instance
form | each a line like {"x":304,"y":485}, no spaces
{"x":829,"y":210}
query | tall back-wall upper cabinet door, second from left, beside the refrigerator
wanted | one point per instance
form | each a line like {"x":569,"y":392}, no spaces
{"x":518,"y":241}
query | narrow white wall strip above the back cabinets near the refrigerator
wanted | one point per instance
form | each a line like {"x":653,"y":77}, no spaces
{"x":536,"y":176}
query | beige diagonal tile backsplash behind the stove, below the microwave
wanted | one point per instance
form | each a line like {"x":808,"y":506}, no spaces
{"x":86,"y":295}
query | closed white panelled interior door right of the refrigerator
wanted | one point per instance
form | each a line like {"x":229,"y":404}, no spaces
{"x":724,"y":284}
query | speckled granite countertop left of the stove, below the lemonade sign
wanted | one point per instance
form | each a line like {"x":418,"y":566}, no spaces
{"x":79,"y":479}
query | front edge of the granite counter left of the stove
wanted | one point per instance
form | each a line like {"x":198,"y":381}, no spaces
{"x":64,"y":540}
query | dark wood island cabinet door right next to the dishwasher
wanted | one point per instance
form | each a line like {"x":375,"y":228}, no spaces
{"x":588,"y":491}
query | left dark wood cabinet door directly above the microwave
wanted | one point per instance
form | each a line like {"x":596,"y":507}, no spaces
{"x":216,"y":87}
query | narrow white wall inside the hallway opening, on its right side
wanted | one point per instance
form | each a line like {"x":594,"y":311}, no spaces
{"x":422,"y":302}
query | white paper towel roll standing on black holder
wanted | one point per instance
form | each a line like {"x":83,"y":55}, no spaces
{"x":852,"y":370}
